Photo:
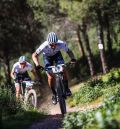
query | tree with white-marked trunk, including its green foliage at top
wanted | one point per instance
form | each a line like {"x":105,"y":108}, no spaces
{"x":92,"y":11}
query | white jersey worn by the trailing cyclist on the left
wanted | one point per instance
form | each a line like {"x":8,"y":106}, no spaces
{"x":17,"y":68}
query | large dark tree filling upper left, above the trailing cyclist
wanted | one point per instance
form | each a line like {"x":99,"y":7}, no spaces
{"x":18,"y":31}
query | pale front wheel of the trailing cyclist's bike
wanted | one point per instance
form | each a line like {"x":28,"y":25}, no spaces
{"x":33,"y":103}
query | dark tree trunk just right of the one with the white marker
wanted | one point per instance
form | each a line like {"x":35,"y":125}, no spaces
{"x":109,"y":41}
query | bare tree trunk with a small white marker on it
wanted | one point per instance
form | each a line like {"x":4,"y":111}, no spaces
{"x":101,"y":42}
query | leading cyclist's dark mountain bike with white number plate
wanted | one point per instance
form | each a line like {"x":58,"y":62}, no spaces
{"x":59,"y":85}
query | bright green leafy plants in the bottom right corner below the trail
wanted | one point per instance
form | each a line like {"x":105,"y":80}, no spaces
{"x":105,"y":117}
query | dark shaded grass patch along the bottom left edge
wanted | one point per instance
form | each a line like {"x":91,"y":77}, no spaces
{"x":21,"y":120}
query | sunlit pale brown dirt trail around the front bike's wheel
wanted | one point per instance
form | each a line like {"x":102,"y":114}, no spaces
{"x":45,"y":103}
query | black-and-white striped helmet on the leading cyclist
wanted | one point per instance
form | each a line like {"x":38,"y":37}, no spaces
{"x":52,"y":38}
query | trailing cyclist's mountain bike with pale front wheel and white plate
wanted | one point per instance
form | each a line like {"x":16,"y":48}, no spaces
{"x":28,"y":94}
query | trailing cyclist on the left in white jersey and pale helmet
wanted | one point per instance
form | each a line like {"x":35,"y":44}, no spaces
{"x":20,"y":71}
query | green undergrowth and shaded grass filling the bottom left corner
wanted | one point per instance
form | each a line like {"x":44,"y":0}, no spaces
{"x":14,"y":111}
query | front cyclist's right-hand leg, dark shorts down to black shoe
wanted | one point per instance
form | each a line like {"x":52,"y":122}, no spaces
{"x":59,"y":60}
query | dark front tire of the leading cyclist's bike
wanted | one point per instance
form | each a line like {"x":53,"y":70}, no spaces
{"x":61,"y":96}
